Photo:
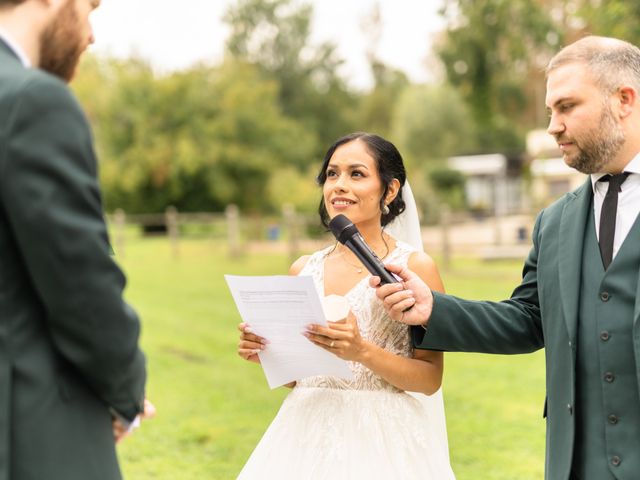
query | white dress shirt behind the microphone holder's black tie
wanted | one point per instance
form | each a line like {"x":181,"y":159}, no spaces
{"x":628,"y":202}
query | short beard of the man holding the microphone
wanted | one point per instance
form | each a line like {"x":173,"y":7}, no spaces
{"x":599,"y":146}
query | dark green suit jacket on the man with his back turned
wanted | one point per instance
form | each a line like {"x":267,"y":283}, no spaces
{"x":68,"y":342}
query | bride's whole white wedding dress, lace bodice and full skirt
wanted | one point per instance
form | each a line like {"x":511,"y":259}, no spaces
{"x":330,"y":428}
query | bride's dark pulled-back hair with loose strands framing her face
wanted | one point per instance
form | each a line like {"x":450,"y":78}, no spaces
{"x":389,"y":163}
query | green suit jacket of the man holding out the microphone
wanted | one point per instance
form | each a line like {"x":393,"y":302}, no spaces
{"x":542,"y":312}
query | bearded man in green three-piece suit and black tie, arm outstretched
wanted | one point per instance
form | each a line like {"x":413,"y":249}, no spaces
{"x":580,"y":296}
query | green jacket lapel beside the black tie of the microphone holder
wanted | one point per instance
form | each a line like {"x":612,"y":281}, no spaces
{"x":572,"y":225}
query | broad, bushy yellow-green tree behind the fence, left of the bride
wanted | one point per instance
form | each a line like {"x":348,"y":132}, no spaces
{"x":197,"y":139}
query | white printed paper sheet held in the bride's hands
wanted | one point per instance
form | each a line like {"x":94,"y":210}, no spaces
{"x":278,"y":308}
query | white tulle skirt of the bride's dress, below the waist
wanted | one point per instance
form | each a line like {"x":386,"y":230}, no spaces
{"x":324,"y":433}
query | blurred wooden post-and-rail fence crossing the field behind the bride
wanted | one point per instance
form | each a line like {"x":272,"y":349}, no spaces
{"x":456,"y":234}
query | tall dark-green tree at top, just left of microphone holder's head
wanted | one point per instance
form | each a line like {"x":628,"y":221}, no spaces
{"x":490,"y":49}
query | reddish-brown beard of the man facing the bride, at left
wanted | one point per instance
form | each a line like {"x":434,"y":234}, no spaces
{"x":61,"y":44}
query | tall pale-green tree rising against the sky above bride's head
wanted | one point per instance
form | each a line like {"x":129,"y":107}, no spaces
{"x":275,"y":35}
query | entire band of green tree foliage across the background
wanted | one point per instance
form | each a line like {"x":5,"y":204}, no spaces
{"x":252,"y":129}
